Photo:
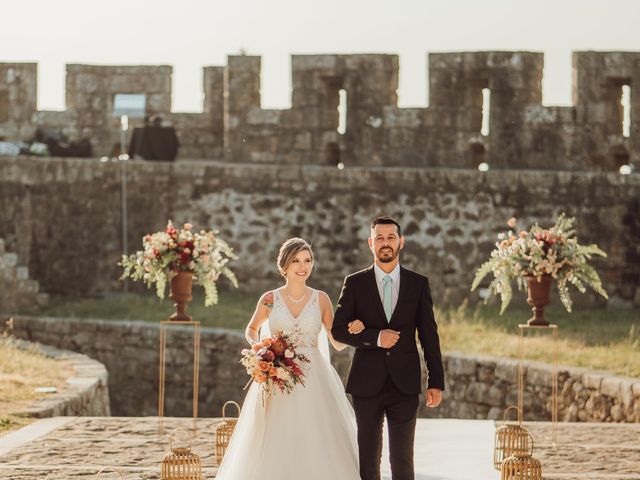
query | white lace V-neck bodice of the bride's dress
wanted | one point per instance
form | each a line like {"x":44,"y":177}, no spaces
{"x":304,"y":328}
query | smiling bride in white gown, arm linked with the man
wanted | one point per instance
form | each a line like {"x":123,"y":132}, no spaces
{"x":309,"y":433}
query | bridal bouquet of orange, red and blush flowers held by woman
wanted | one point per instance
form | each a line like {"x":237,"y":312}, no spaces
{"x":274,"y":364}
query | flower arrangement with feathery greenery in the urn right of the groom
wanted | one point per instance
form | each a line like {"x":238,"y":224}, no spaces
{"x":554,"y":251}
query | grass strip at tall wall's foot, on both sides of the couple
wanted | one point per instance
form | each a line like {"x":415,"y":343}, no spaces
{"x":595,"y":338}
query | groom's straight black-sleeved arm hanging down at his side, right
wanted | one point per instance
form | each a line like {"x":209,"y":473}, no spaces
{"x":429,"y":339}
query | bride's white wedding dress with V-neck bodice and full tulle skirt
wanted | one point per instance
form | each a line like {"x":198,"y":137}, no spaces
{"x":308,"y":434}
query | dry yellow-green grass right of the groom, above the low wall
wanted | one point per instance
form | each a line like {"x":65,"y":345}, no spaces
{"x":610,"y":342}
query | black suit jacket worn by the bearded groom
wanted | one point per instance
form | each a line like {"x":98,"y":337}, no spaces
{"x":371,"y":364}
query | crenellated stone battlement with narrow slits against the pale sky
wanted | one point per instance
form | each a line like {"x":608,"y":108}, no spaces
{"x":515,"y":130}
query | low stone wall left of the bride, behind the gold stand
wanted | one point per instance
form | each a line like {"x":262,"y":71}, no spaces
{"x":129,"y":351}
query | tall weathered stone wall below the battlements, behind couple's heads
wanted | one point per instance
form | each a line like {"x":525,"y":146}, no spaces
{"x":63,"y":217}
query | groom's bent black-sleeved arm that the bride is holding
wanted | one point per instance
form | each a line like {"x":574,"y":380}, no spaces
{"x":345,"y":313}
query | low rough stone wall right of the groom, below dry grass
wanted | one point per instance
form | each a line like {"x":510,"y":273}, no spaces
{"x":482,"y":387}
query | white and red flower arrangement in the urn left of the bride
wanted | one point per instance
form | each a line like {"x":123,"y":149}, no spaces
{"x":173,"y":250}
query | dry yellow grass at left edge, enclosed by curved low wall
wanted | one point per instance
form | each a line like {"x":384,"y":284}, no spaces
{"x":21,"y":371}
